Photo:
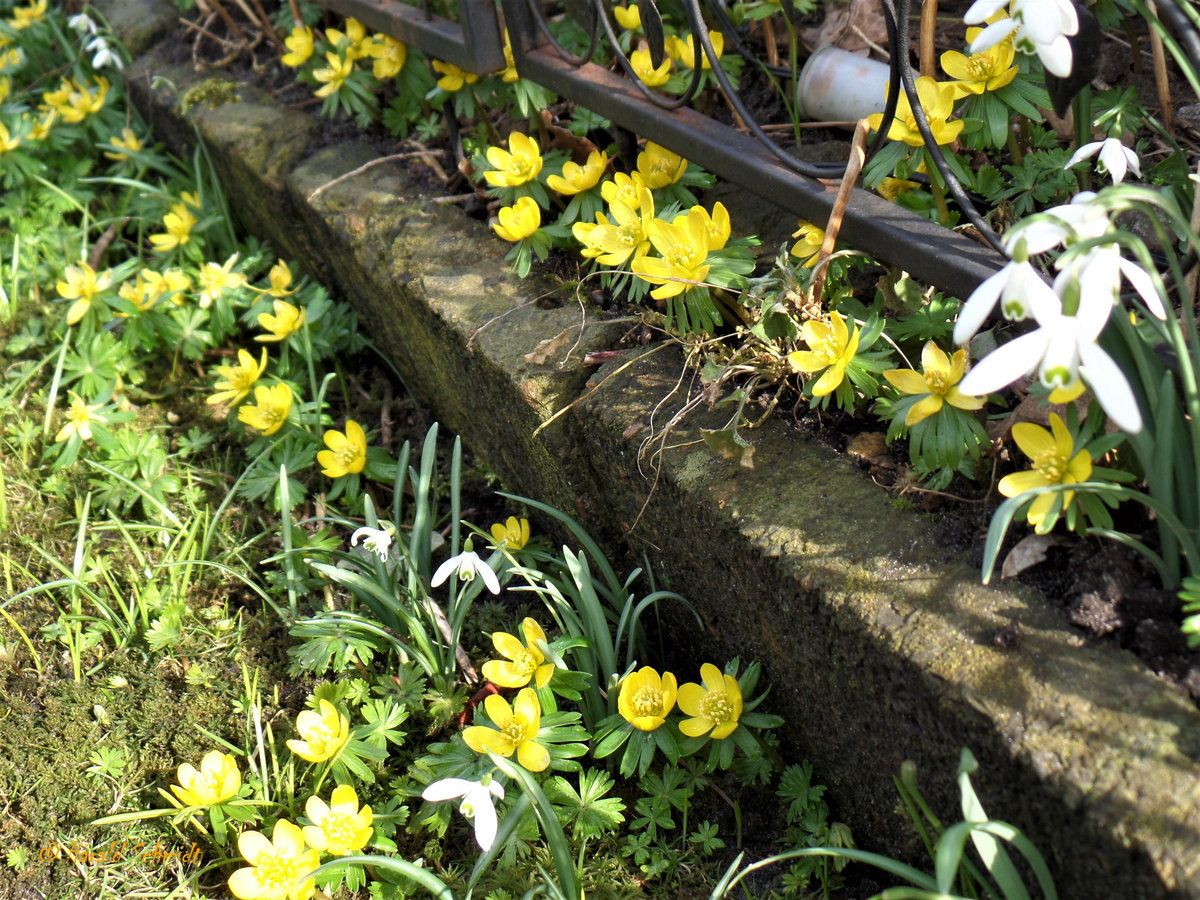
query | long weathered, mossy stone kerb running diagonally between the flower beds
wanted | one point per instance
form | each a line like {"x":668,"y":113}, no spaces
{"x":877,"y":644}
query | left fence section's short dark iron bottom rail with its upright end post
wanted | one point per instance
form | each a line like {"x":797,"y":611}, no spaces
{"x":475,"y":45}
